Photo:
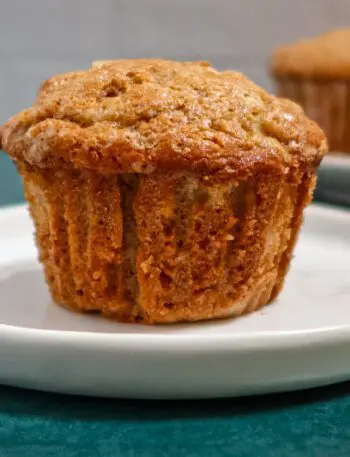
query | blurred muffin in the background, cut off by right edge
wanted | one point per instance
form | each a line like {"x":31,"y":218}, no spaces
{"x":316,"y":74}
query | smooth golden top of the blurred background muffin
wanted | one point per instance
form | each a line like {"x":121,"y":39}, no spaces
{"x":326,"y":57}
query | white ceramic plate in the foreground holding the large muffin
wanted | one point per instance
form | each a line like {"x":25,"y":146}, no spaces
{"x":302,"y":340}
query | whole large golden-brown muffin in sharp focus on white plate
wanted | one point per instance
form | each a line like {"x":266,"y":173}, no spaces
{"x":163,"y":191}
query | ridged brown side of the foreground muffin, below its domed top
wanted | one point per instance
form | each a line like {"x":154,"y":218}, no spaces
{"x":168,"y":247}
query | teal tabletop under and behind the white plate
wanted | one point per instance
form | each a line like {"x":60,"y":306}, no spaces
{"x":312,"y":423}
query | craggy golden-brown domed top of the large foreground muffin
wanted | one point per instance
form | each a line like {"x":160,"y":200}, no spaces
{"x":153,"y":115}
